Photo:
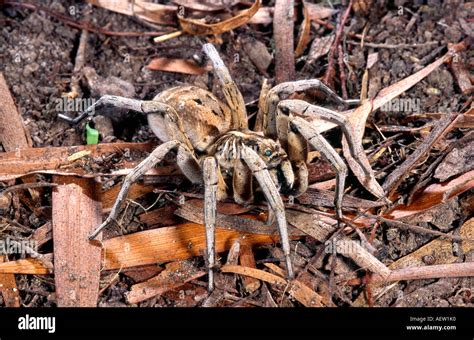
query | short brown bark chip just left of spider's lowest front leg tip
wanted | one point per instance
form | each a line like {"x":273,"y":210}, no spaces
{"x":176,"y":274}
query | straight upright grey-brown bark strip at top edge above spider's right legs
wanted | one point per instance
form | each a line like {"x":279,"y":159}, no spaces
{"x":284,"y":41}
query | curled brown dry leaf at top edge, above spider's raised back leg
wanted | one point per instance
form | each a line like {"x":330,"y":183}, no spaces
{"x":197,"y":27}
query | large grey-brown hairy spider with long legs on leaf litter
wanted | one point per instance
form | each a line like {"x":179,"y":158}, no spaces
{"x":215,"y":146}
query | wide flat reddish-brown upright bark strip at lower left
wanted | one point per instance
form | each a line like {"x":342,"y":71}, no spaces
{"x":77,"y":211}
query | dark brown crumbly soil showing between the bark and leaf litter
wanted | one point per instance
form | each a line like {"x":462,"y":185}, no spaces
{"x":37,"y":57}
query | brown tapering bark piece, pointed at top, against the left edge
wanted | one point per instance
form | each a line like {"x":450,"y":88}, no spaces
{"x":13,"y":133}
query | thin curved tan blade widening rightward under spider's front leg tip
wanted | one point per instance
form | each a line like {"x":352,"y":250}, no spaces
{"x":298,"y":290}
